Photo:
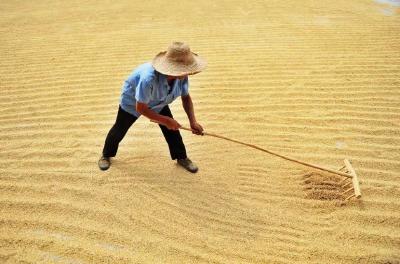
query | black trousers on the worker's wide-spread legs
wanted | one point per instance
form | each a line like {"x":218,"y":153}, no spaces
{"x":125,"y":120}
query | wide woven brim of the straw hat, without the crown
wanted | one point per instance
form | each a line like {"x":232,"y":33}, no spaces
{"x":168,"y":67}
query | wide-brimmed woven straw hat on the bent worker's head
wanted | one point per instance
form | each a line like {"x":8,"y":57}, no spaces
{"x":178,"y":60}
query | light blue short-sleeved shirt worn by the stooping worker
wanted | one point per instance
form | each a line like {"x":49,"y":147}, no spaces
{"x":148,"y":86}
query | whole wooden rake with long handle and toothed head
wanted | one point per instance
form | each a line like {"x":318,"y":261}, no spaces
{"x":350,"y":178}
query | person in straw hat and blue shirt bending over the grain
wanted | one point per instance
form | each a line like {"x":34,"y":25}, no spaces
{"x":148,"y":91}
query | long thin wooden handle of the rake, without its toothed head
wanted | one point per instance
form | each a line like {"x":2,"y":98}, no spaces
{"x":272,"y":153}
